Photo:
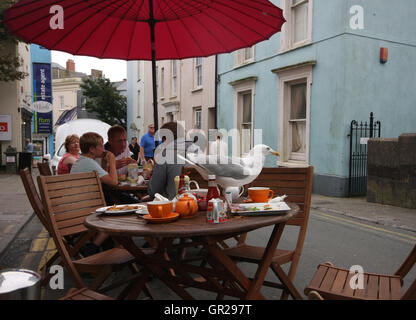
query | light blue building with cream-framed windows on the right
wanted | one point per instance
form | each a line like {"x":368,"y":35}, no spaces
{"x":305,"y":85}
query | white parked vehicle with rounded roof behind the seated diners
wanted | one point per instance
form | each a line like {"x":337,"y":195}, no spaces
{"x":78,"y":127}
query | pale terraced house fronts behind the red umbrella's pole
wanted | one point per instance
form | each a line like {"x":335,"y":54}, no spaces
{"x":185,"y":91}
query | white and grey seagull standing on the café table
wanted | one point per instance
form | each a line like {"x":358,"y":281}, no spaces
{"x":231,"y":171}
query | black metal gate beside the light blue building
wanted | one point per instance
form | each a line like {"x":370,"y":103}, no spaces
{"x":359,"y":135}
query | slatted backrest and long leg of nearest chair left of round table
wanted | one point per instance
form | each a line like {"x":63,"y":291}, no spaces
{"x":68,"y":200}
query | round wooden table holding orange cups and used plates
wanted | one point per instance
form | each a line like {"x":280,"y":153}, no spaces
{"x":220,"y":274}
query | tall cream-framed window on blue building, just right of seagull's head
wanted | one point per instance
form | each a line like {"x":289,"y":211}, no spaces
{"x":294,"y":116}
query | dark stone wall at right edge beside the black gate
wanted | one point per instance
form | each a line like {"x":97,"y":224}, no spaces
{"x":392,"y":171}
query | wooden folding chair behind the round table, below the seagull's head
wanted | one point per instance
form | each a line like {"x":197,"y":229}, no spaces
{"x":296,"y":183}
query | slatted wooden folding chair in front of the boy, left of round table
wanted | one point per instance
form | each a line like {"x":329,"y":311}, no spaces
{"x":68,"y":200}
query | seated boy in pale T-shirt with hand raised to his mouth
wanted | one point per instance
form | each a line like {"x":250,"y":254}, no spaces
{"x":92,"y":146}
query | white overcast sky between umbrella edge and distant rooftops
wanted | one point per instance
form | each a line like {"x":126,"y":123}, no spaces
{"x":115,"y":70}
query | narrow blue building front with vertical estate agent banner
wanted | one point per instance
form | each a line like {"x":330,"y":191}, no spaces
{"x":41,"y":80}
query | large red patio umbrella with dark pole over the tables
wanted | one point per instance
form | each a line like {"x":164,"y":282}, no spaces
{"x":144,"y":29}
